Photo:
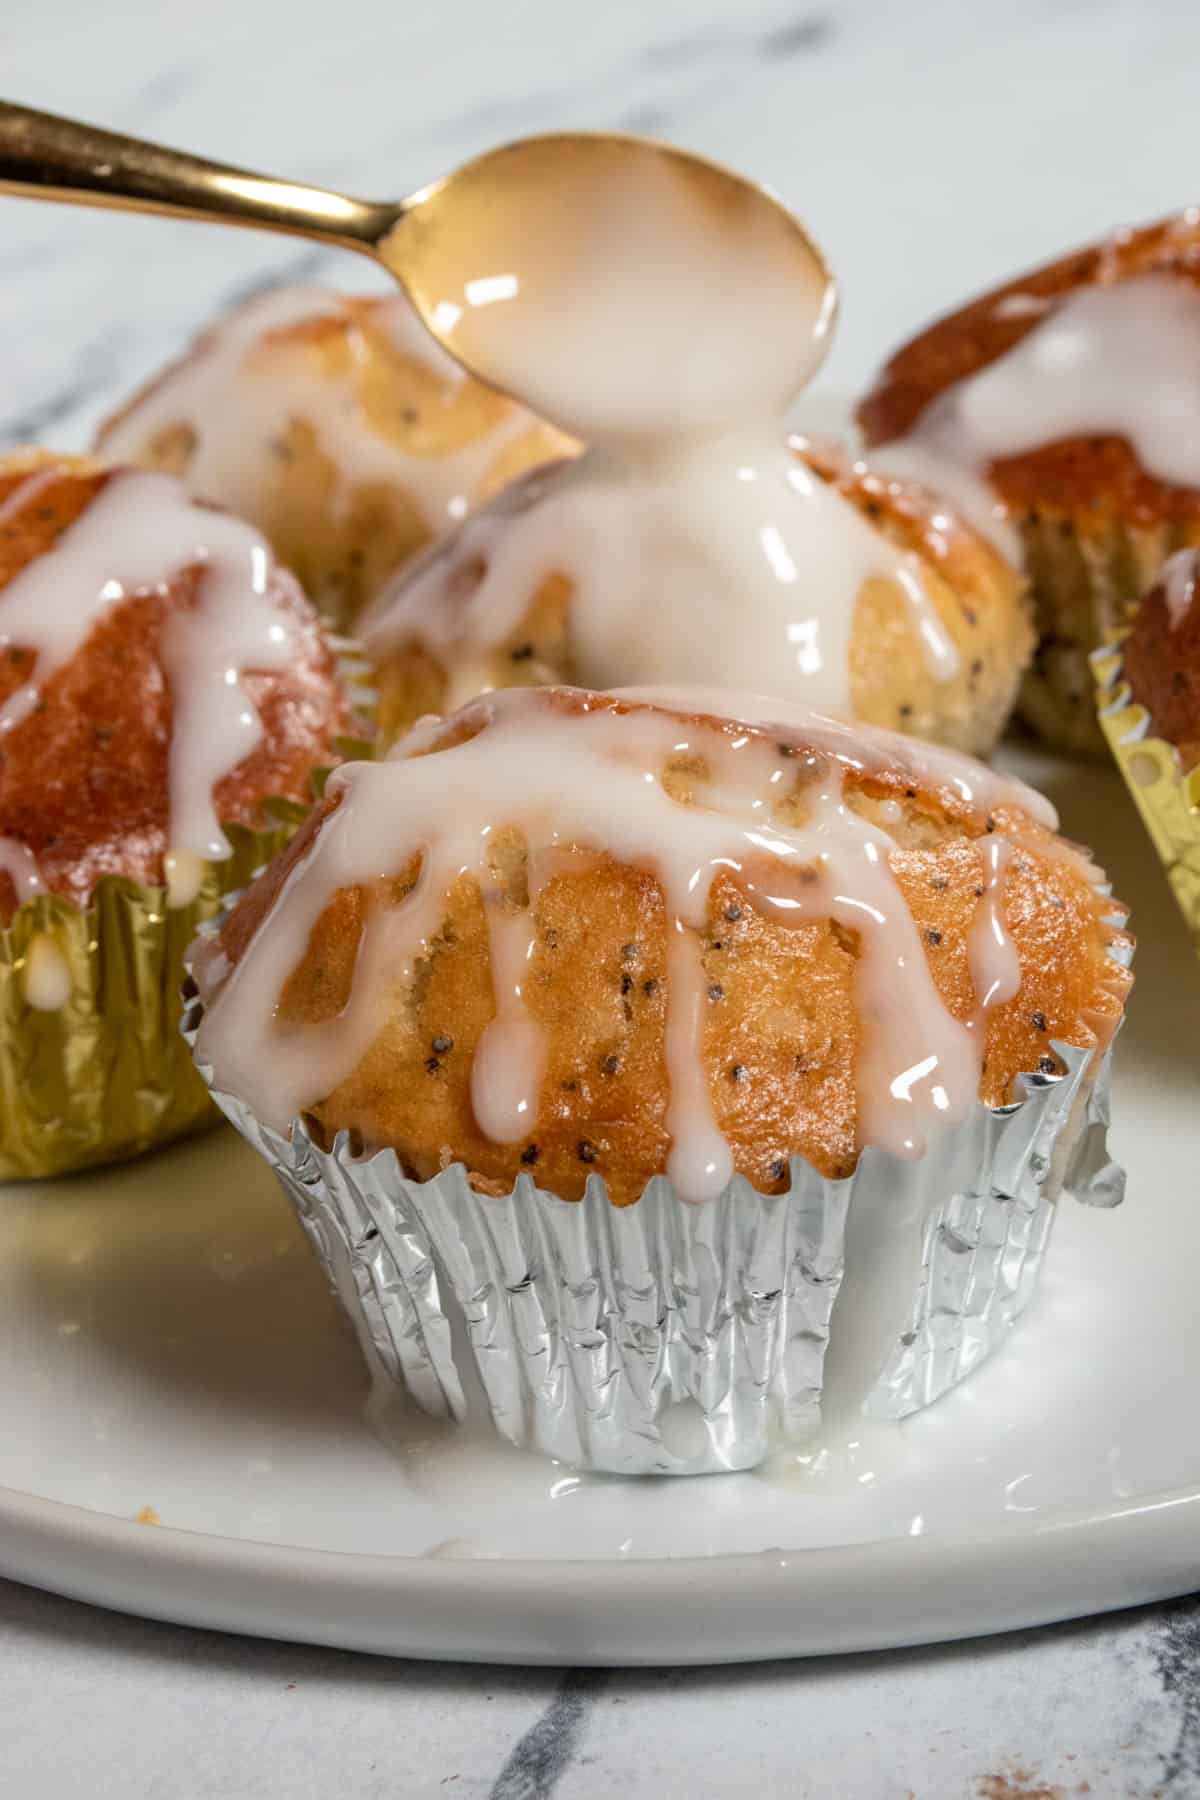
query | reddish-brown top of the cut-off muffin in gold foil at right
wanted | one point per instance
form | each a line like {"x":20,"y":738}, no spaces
{"x":1161,"y":656}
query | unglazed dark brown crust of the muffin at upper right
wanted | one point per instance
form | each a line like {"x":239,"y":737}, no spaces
{"x":1075,"y":474}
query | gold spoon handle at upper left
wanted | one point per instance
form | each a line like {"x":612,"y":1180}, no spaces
{"x":44,"y":157}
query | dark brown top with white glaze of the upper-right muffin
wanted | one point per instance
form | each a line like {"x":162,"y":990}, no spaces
{"x":1071,"y":388}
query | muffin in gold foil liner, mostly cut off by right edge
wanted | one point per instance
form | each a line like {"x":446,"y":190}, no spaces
{"x":1151,"y":715}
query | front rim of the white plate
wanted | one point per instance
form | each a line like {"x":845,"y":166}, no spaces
{"x":837,"y":1599}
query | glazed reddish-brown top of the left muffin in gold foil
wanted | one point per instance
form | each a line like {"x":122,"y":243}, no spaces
{"x":161,"y":676}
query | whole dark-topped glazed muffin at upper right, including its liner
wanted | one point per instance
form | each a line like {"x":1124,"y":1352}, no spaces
{"x":1059,"y":413}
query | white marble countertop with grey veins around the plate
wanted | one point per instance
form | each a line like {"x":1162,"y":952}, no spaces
{"x":933,"y":148}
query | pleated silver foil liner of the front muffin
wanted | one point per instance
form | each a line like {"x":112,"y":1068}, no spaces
{"x":670,"y":1338}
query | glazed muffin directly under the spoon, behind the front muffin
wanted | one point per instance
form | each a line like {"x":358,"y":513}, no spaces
{"x":927,"y":624}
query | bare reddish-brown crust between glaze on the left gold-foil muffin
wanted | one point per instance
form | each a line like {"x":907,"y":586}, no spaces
{"x":84,"y":780}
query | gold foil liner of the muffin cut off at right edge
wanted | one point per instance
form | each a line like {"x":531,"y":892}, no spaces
{"x":1167,"y":798}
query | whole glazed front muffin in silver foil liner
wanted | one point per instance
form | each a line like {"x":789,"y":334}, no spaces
{"x":622,"y":1029}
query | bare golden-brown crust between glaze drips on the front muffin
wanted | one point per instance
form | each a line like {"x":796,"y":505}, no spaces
{"x":782,"y":1034}
